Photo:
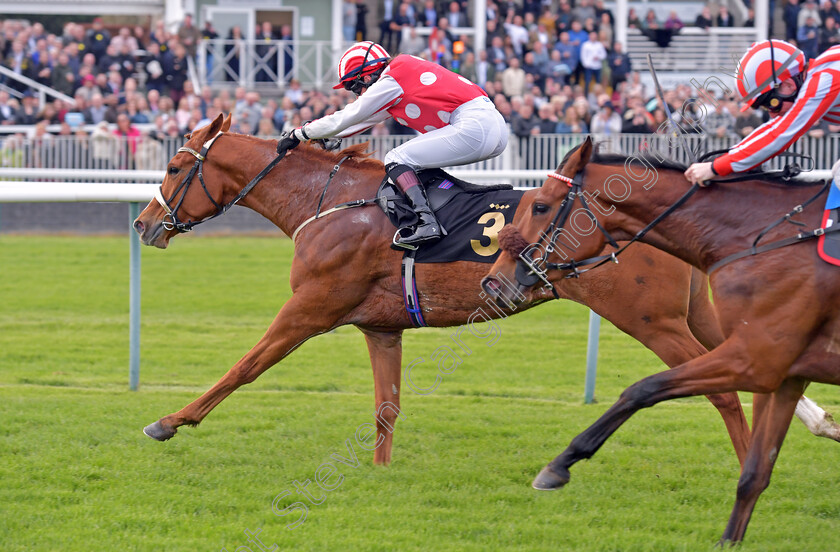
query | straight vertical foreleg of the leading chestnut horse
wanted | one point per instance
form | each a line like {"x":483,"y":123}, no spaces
{"x":385,"y":350}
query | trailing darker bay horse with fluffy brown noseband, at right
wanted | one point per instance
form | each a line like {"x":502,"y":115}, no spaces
{"x":778,"y":309}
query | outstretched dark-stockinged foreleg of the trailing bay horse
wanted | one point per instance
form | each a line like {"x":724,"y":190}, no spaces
{"x":712,"y":373}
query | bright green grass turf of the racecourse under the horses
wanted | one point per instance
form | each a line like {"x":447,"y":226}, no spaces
{"x":76,"y":473}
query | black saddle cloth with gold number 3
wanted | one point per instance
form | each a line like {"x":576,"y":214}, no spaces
{"x":472,"y":216}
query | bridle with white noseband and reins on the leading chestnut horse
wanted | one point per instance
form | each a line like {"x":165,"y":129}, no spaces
{"x":170,"y":219}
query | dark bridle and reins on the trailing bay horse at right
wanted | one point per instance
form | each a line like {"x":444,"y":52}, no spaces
{"x":529,"y":272}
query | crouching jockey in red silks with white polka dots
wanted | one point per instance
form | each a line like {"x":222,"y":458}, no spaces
{"x":457,"y":122}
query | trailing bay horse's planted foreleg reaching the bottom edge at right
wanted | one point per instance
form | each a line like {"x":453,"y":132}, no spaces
{"x":769,"y":430}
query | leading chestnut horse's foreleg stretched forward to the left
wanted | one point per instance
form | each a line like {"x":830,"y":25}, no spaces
{"x":296,"y":322}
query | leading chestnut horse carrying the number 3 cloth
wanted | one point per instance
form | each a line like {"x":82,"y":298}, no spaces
{"x":344,"y":272}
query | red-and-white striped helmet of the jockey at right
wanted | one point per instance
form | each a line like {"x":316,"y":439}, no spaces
{"x":764,"y":67}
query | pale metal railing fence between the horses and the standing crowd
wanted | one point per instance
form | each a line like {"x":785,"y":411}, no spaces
{"x":533,"y":153}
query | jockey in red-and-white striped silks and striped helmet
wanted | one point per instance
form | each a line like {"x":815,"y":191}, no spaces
{"x":774,"y":75}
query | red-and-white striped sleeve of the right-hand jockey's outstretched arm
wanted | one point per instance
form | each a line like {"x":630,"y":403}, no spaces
{"x":819,"y":94}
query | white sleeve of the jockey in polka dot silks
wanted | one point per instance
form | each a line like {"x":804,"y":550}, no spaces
{"x":366,"y":111}
